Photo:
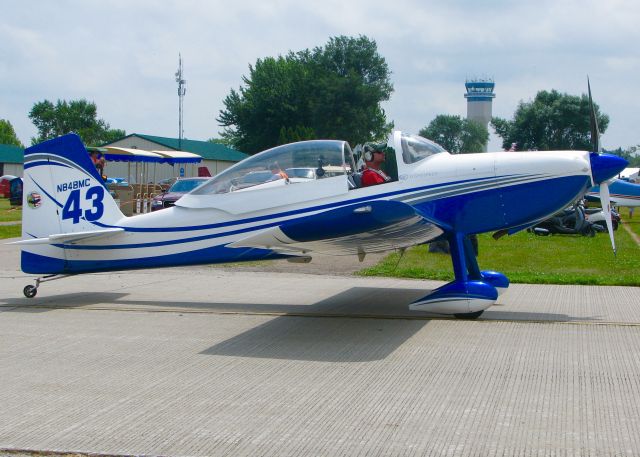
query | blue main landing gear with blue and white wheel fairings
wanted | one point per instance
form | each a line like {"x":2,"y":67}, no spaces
{"x":471,"y":292}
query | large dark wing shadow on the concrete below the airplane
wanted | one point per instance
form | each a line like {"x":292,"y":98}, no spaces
{"x":345,"y":339}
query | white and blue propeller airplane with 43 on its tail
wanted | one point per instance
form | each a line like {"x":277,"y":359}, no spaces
{"x":72,"y":225}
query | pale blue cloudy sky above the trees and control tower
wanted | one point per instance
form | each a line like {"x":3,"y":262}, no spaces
{"x":123,"y":55}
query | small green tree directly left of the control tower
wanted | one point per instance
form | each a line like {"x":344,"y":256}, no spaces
{"x":455,"y":134}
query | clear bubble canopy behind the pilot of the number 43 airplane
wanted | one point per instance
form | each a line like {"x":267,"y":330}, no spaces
{"x":319,"y":158}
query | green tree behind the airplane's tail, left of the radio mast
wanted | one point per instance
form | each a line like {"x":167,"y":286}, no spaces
{"x":79,"y":116}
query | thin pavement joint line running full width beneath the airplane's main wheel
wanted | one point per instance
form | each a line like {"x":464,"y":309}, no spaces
{"x":326,"y":315}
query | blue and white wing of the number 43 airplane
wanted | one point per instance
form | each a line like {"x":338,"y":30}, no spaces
{"x":375,"y":226}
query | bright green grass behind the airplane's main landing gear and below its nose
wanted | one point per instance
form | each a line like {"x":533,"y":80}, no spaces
{"x":527,"y":258}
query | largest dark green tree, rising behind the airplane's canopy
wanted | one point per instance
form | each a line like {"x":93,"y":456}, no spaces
{"x":333,"y":91}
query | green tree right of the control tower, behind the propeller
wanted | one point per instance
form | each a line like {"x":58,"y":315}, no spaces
{"x":552,"y":121}
